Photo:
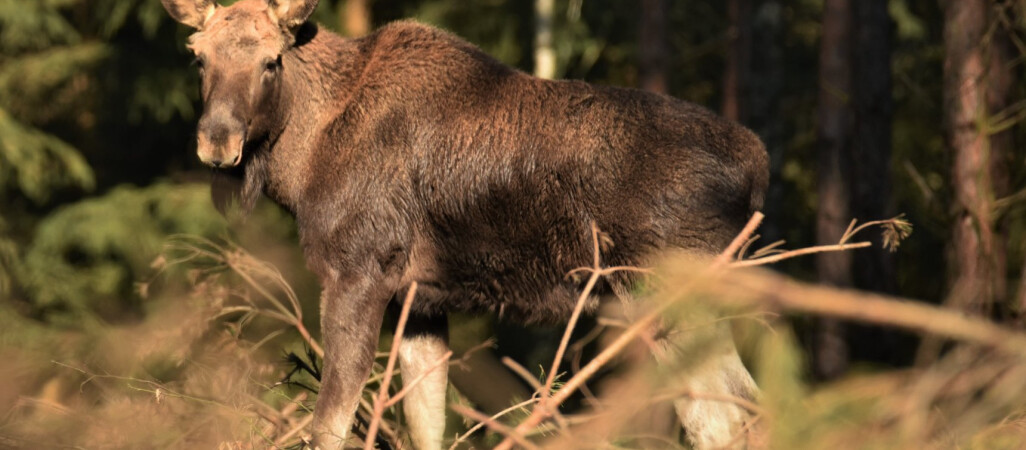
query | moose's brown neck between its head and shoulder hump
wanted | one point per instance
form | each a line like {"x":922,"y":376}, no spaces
{"x":319,"y":75}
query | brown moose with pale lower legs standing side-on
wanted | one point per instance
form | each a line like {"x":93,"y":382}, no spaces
{"x":410,"y":155}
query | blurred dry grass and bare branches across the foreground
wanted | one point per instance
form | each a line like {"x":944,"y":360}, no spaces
{"x":212,"y":375}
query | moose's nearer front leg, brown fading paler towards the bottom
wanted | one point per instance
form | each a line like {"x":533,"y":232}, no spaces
{"x":351,"y":318}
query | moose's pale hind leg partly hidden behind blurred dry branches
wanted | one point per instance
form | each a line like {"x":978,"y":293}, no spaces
{"x":715,"y":386}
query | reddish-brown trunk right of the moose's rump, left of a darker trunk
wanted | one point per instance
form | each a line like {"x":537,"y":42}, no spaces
{"x":835,"y":129}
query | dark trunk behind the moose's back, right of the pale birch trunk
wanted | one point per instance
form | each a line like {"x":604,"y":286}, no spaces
{"x":654,"y":52}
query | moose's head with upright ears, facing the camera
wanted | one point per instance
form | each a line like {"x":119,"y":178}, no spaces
{"x":240,"y":57}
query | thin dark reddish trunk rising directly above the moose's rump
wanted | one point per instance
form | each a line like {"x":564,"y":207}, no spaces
{"x":738,"y":65}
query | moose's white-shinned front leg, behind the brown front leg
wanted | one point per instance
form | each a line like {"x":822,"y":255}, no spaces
{"x":424,"y":344}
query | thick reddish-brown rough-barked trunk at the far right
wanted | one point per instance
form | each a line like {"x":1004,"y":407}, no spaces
{"x":972,"y":261}
